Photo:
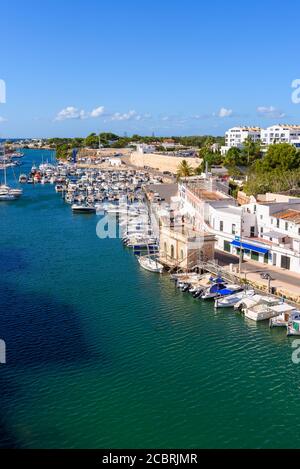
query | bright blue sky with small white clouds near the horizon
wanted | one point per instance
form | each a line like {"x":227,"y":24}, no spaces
{"x":173,"y":67}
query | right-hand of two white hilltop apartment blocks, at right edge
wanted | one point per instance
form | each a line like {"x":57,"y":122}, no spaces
{"x":281,"y":134}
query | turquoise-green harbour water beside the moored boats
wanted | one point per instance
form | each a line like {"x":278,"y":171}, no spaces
{"x":103,"y":354}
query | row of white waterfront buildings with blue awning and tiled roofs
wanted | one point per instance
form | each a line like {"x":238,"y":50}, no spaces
{"x":267,"y":232}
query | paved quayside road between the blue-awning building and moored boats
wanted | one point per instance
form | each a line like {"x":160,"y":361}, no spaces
{"x":280,"y":275}
